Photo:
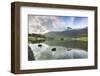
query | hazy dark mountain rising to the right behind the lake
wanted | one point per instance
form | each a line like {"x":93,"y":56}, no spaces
{"x":69,"y":33}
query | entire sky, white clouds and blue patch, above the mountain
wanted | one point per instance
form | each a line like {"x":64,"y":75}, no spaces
{"x":43,"y":24}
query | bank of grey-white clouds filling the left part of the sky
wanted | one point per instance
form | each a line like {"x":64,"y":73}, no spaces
{"x":43,"y":24}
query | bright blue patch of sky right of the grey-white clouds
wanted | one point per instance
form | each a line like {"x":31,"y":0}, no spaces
{"x":74,"y":22}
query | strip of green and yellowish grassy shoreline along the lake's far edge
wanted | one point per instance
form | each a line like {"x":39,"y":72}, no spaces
{"x":35,"y":39}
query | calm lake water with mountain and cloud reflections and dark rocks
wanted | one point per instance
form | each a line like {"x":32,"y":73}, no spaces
{"x":52,"y":50}
